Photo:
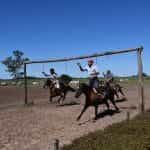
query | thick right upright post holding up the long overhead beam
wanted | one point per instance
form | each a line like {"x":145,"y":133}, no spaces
{"x":140,"y":81}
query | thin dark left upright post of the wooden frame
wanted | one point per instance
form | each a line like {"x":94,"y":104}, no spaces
{"x":25,"y":84}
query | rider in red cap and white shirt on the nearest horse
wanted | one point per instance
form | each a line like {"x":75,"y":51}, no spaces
{"x":93,"y":74}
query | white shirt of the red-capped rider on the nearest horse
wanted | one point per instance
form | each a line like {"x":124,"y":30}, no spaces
{"x":92,"y":71}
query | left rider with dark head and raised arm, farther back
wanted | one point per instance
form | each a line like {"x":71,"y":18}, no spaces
{"x":53,"y":77}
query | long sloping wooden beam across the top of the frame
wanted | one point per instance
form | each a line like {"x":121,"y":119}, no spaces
{"x":85,"y":56}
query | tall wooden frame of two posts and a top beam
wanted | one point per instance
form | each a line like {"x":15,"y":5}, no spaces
{"x":139,"y":62}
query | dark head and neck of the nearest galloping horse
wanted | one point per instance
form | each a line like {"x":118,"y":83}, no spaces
{"x":83,"y":88}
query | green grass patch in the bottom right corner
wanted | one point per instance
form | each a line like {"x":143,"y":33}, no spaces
{"x":128,"y":135}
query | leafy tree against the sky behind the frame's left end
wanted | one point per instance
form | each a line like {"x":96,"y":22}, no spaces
{"x":14,"y":63}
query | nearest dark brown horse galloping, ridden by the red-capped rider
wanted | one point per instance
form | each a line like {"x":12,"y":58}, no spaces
{"x":92,"y":99}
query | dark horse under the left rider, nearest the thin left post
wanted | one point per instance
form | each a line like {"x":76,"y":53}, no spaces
{"x":61,"y":92}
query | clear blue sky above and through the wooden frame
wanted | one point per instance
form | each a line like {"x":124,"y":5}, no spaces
{"x":62,"y":28}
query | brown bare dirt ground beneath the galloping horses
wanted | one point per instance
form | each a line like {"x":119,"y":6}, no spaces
{"x":35,"y":127}
